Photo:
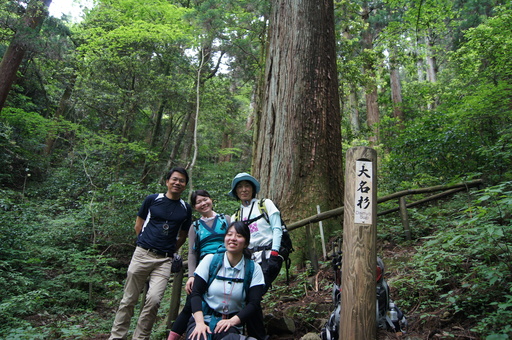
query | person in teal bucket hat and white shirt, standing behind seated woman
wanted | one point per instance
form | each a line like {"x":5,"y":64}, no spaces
{"x":265,"y":226}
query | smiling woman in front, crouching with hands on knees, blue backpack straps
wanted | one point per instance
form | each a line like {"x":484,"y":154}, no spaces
{"x":227,"y":289}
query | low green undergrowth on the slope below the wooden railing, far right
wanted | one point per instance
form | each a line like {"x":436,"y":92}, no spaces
{"x":463,"y":269}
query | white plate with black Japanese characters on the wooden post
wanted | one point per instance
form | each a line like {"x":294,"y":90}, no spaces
{"x":364,"y":186}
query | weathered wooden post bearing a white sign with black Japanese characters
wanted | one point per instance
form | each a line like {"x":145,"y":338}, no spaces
{"x":358,"y":294}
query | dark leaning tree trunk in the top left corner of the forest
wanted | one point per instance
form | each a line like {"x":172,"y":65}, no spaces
{"x":37,"y":10}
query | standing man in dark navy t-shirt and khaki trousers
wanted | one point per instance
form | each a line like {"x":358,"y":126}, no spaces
{"x":162,"y":227}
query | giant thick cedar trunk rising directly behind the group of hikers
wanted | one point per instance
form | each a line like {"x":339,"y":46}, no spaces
{"x":297,"y":154}
